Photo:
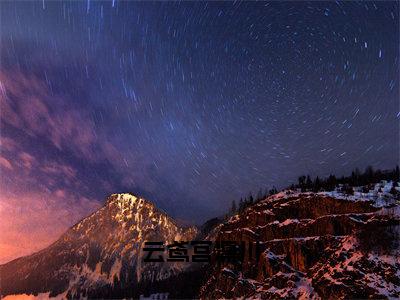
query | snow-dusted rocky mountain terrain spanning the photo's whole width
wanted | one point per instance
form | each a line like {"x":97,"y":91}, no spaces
{"x":311,"y":246}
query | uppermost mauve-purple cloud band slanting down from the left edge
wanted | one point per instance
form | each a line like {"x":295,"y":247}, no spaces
{"x":26,"y":103}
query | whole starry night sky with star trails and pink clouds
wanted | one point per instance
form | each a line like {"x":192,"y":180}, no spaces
{"x":191,"y":105}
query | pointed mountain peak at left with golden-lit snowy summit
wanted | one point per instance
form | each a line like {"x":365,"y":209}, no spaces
{"x":99,"y":256}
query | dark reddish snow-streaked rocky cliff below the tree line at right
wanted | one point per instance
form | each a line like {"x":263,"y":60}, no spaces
{"x":312,"y":246}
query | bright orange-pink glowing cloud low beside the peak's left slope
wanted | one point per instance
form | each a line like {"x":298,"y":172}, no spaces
{"x":33,"y":221}
